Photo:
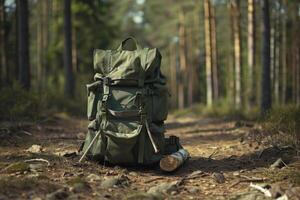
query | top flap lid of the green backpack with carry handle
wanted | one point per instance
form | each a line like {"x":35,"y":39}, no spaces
{"x":123,"y":64}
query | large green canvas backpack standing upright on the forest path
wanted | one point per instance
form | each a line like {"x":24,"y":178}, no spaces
{"x":127,"y":106}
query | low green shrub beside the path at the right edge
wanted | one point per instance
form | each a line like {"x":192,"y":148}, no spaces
{"x":282,"y":125}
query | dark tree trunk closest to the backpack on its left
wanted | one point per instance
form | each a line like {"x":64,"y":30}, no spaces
{"x":69,"y":76}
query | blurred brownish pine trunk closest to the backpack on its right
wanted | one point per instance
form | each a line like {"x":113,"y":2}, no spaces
{"x":183,"y":61}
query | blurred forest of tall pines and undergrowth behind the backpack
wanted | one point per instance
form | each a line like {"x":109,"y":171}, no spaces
{"x":221,"y":57}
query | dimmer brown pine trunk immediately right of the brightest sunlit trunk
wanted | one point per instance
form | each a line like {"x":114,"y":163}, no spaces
{"x":214,"y":54}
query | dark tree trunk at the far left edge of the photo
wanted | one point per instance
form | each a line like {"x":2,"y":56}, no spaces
{"x":3,"y":62}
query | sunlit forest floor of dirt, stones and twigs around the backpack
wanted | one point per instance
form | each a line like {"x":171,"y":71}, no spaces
{"x":226,"y":156}
